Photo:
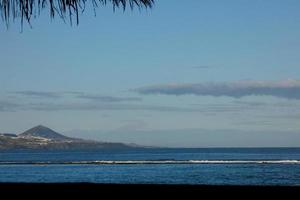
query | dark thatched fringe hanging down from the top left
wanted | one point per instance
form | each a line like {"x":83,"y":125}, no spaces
{"x":26,"y":9}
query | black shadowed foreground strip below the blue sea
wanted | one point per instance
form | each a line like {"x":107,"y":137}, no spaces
{"x":143,"y":190}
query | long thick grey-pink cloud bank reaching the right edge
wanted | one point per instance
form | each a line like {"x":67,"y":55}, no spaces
{"x":289,"y":89}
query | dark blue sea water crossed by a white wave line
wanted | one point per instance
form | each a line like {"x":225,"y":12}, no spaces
{"x":212,"y":166}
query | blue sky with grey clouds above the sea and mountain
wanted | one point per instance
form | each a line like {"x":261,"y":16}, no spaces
{"x":206,"y":73}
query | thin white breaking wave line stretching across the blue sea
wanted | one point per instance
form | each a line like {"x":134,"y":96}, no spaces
{"x":144,"y":162}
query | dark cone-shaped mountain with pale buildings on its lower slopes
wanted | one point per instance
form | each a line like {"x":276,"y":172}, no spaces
{"x":41,"y":137}
